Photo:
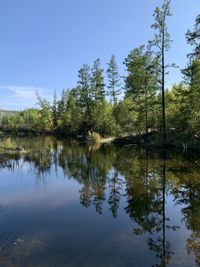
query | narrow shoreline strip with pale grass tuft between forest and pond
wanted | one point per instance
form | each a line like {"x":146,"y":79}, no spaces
{"x":132,"y":140}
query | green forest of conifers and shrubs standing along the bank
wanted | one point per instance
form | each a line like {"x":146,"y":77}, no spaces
{"x":136,"y":107}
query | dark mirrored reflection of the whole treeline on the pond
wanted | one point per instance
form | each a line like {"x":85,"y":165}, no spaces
{"x":132,"y":181}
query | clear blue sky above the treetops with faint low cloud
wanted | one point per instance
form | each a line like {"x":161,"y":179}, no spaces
{"x":43,"y":43}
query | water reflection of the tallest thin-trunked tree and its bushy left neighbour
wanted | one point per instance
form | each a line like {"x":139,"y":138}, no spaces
{"x":146,"y":192}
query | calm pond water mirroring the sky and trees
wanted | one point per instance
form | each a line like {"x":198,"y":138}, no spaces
{"x":69,"y":205}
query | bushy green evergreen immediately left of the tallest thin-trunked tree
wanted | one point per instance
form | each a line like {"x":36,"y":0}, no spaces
{"x":140,"y":83}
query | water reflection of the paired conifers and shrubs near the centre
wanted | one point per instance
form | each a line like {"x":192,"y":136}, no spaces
{"x":90,"y":168}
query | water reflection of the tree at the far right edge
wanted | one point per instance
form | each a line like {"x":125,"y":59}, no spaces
{"x":187,"y":194}
